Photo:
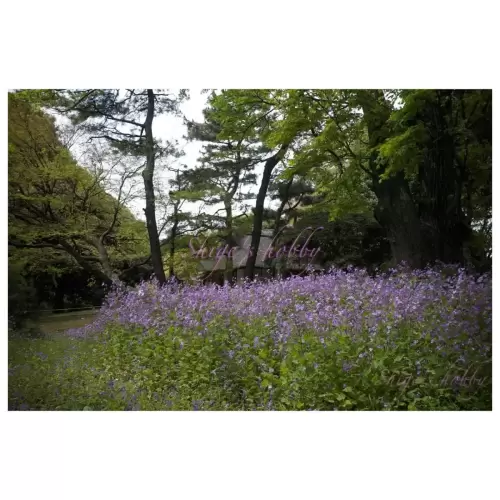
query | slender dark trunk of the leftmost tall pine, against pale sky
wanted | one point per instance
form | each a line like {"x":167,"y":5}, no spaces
{"x":150,"y":210}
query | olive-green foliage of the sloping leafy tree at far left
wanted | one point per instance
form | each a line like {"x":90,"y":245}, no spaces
{"x":58,"y":207}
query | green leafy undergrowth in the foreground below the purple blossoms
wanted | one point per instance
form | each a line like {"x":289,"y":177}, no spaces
{"x":242,"y":368}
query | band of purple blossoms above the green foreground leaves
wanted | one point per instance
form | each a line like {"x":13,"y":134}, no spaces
{"x":351,"y":301}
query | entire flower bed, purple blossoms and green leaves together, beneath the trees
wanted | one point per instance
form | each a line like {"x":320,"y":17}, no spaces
{"x":405,"y":340}
